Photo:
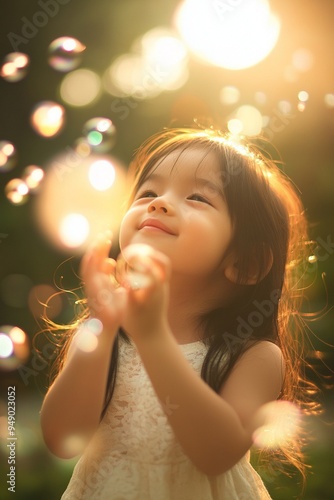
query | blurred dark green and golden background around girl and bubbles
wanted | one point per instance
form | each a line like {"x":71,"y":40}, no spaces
{"x":302,"y":130}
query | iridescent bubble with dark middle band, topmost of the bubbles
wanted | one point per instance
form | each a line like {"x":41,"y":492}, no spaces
{"x":65,"y":53}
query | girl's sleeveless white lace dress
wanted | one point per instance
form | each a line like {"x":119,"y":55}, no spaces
{"x":135,"y":455}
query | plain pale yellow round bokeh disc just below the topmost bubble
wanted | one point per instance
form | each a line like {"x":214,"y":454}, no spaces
{"x":80,"y":87}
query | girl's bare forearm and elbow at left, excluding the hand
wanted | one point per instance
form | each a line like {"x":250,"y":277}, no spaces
{"x":73,"y":404}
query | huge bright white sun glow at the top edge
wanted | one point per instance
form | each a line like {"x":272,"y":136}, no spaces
{"x":234,"y":38}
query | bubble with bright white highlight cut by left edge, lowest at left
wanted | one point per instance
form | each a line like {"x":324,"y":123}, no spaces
{"x":14,"y":347}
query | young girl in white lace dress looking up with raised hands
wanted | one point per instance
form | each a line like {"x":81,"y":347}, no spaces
{"x":166,"y":396}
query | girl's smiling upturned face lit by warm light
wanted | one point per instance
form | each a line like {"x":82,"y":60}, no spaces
{"x":180,"y":210}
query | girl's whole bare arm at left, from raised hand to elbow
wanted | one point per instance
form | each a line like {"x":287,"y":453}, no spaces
{"x":73,"y":404}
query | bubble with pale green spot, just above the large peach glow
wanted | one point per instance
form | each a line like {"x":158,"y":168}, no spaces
{"x":100,"y":134}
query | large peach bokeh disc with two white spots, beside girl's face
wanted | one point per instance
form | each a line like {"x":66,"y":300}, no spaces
{"x":81,"y":197}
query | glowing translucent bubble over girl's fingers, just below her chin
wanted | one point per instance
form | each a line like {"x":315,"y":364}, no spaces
{"x":133,"y":265}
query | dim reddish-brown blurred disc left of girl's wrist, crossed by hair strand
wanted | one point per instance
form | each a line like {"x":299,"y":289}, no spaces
{"x":43,"y":297}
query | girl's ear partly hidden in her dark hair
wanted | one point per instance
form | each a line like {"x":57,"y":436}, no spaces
{"x":260,"y":263}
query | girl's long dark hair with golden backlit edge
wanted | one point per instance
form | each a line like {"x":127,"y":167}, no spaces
{"x":269,"y":227}
